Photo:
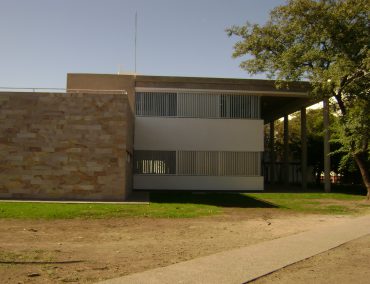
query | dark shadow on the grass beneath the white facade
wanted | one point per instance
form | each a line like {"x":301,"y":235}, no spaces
{"x":211,"y":198}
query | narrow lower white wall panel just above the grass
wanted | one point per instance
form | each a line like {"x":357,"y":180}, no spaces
{"x":168,"y":182}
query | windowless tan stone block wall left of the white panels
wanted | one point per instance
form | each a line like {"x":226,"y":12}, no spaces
{"x":71,"y":146}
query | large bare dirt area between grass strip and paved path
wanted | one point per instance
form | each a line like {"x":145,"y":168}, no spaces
{"x":87,"y":251}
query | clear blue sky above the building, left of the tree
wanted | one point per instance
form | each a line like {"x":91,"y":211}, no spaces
{"x":43,"y":40}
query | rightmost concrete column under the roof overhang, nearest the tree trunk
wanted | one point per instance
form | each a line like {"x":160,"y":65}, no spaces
{"x":327,"y":183}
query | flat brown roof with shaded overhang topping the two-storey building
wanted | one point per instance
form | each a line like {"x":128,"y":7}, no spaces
{"x":275,"y":102}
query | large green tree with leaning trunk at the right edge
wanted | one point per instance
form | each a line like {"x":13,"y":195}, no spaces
{"x":327,"y":43}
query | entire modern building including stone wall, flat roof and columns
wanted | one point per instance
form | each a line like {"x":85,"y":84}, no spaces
{"x":168,"y":133}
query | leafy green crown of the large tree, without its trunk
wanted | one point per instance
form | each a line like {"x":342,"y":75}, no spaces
{"x":325,"y":41}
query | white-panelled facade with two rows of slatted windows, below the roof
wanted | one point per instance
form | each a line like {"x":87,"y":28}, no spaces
{"x":197,"y":140}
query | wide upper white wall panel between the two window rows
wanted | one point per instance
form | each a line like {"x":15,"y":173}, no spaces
{"x":156,"y":133}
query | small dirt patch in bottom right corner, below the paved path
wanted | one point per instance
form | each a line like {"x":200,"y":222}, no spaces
{"x":349,"y":263}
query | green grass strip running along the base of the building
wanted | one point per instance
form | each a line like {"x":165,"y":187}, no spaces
{"x":188,"y":205}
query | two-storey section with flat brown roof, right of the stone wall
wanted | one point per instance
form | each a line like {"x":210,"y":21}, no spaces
{"x":198,"y":133}
